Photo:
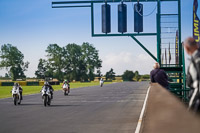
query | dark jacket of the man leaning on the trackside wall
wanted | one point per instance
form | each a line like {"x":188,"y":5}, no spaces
{"x":159,"y":76}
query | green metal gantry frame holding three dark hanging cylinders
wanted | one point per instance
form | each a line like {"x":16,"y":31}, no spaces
{"x":180,"y":69}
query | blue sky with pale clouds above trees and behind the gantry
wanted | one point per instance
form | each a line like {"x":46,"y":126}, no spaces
{"x":32,"y":25}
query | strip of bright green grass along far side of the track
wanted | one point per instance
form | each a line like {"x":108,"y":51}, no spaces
{"x":5,"y":90}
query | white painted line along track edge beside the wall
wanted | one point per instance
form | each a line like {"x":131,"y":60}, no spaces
{"x":142,"y":113}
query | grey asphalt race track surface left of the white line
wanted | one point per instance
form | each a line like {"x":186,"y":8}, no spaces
{"x":113,"y":108}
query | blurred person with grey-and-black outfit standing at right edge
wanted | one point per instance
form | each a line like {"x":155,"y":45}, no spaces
{"x":193,"y":74}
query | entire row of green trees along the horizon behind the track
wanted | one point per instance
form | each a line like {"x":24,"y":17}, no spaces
{"x":72,"y":62}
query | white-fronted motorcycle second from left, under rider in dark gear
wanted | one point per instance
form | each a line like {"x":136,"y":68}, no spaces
{"x":46,"y":95}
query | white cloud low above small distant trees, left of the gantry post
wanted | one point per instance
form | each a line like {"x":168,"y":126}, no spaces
{"x":127,"y":61}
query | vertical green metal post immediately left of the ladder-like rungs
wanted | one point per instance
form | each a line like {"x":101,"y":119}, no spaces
{"x":158,"y":33}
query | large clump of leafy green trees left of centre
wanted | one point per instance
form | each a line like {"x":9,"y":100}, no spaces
{"x":72,"y":62}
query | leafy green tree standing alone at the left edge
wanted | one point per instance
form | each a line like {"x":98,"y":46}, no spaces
{"x":12,"y":60}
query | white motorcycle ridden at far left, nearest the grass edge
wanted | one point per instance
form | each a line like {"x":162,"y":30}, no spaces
{"x":16,"y":95}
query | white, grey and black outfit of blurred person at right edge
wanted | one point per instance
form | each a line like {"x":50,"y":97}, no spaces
{"x":193,"y":81}
